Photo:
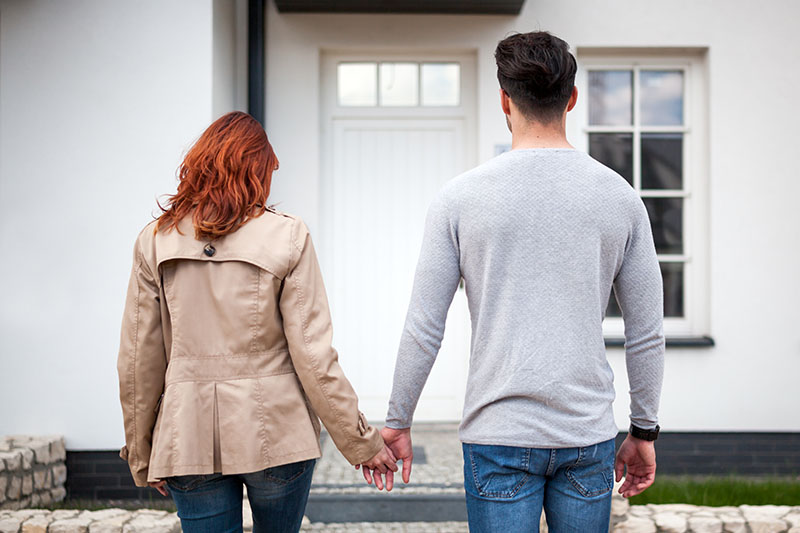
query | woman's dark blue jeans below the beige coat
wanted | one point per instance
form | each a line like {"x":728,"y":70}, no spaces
{"x":212,"y":503}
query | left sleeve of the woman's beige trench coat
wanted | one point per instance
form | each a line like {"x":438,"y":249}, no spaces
{"x":141,"y":365}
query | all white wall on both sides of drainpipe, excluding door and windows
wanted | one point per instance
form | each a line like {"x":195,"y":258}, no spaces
{"x":99,"y":100}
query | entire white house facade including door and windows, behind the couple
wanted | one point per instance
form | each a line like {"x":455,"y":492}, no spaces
{"x":369,"y":114}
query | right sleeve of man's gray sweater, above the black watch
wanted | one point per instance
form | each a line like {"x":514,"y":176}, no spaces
{"x":639,"y":292}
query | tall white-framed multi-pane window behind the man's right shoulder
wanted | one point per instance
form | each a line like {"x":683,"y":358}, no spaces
{"x":636,"y":118}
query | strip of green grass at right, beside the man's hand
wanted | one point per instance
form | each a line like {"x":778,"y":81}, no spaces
{"x":721,"y":491}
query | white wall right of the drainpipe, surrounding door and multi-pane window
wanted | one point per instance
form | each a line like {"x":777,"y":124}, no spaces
{"x":749,"y":380}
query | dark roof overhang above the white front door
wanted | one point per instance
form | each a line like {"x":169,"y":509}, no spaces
{"x":448,"y":7}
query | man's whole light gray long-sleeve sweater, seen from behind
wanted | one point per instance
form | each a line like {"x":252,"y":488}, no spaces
{"x":539,"y":236}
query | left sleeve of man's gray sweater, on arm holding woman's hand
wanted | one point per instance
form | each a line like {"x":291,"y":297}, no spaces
{"x":435,"y":282}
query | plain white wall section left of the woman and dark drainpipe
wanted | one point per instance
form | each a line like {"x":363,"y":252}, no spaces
{"x":98,"y":102}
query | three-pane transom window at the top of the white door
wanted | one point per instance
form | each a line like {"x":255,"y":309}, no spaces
{"x":398,"y":84}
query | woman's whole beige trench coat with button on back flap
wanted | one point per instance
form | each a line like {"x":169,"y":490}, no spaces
{"x":225,"y":357}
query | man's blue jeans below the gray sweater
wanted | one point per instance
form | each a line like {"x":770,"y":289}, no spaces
{"x":508,"y":486}
